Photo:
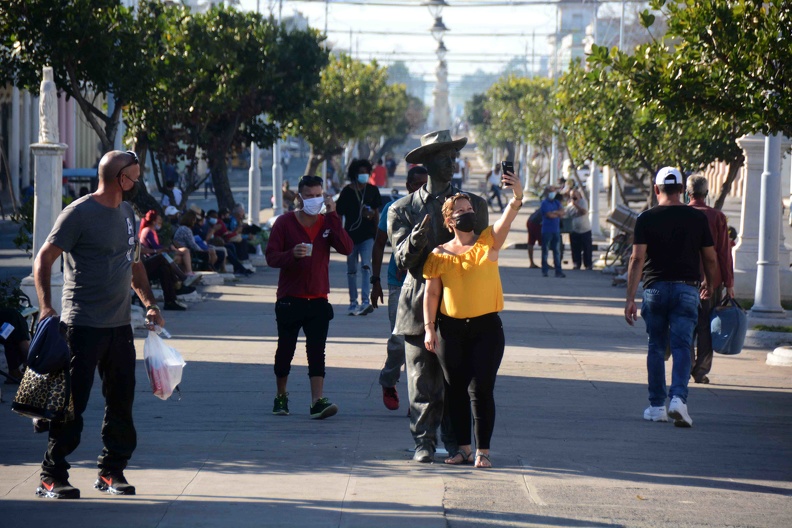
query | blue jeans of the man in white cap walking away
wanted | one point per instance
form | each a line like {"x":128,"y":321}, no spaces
{"x":670,"y":310}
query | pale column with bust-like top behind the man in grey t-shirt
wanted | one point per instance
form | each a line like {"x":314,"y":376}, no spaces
{"x":48,"y":167}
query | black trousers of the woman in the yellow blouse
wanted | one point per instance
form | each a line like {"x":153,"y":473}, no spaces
{"x":470,"y":353}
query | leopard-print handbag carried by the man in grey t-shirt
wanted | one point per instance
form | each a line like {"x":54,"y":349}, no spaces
{"x":45,"y":396}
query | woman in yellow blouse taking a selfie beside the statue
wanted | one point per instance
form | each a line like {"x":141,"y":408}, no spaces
{"x":464,"y":282}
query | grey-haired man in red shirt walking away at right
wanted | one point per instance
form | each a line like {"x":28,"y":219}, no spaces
{"x":701,"y":355}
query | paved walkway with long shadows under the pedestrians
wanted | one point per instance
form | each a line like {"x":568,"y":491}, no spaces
{"x":570,"y":447}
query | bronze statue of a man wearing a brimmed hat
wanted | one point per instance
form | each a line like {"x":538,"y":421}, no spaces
{"x":415,"y":228}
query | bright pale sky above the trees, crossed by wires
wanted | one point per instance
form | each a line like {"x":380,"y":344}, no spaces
{"x":467,"y":53}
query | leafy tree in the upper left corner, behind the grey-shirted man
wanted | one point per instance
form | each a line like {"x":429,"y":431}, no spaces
{"x":92,"y":46}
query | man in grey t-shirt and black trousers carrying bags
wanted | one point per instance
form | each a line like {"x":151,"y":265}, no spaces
{"x":97,"y":235}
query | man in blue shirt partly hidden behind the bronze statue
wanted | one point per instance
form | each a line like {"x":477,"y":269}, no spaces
{"x":390,"y":373}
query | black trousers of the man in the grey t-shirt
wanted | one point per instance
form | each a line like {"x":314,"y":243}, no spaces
{"x":112,"y":350}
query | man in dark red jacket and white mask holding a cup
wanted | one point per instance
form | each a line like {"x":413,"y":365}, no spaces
{"x":299,"y":245}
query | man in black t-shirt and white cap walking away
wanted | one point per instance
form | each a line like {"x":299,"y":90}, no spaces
{"x":671,"y":241}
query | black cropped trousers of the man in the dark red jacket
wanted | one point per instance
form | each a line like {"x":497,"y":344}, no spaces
{"x":313,"y":317}
